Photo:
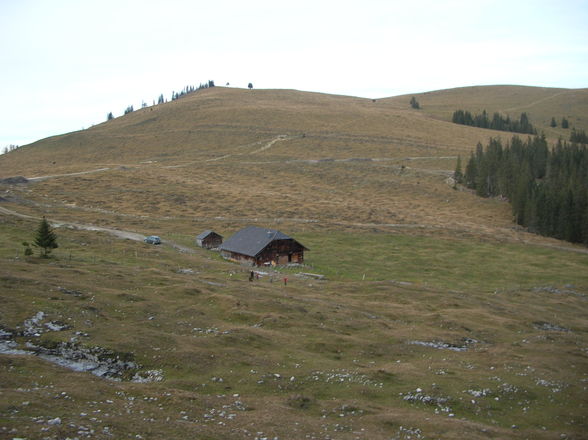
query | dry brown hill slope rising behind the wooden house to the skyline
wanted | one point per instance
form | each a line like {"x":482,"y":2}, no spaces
{"x":231,"y":153}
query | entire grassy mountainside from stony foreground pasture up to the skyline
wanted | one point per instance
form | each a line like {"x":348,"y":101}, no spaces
{"x":438,"y":318}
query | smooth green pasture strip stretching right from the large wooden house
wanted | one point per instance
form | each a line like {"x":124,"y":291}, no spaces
{"x":441,"y":262}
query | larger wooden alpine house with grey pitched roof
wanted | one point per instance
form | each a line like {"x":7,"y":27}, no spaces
{"x":258,"y":246}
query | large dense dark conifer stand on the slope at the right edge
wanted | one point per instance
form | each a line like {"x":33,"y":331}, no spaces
{"x":547,"y":188}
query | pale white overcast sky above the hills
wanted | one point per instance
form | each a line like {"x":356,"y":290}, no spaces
{"x":64,"y":64}
